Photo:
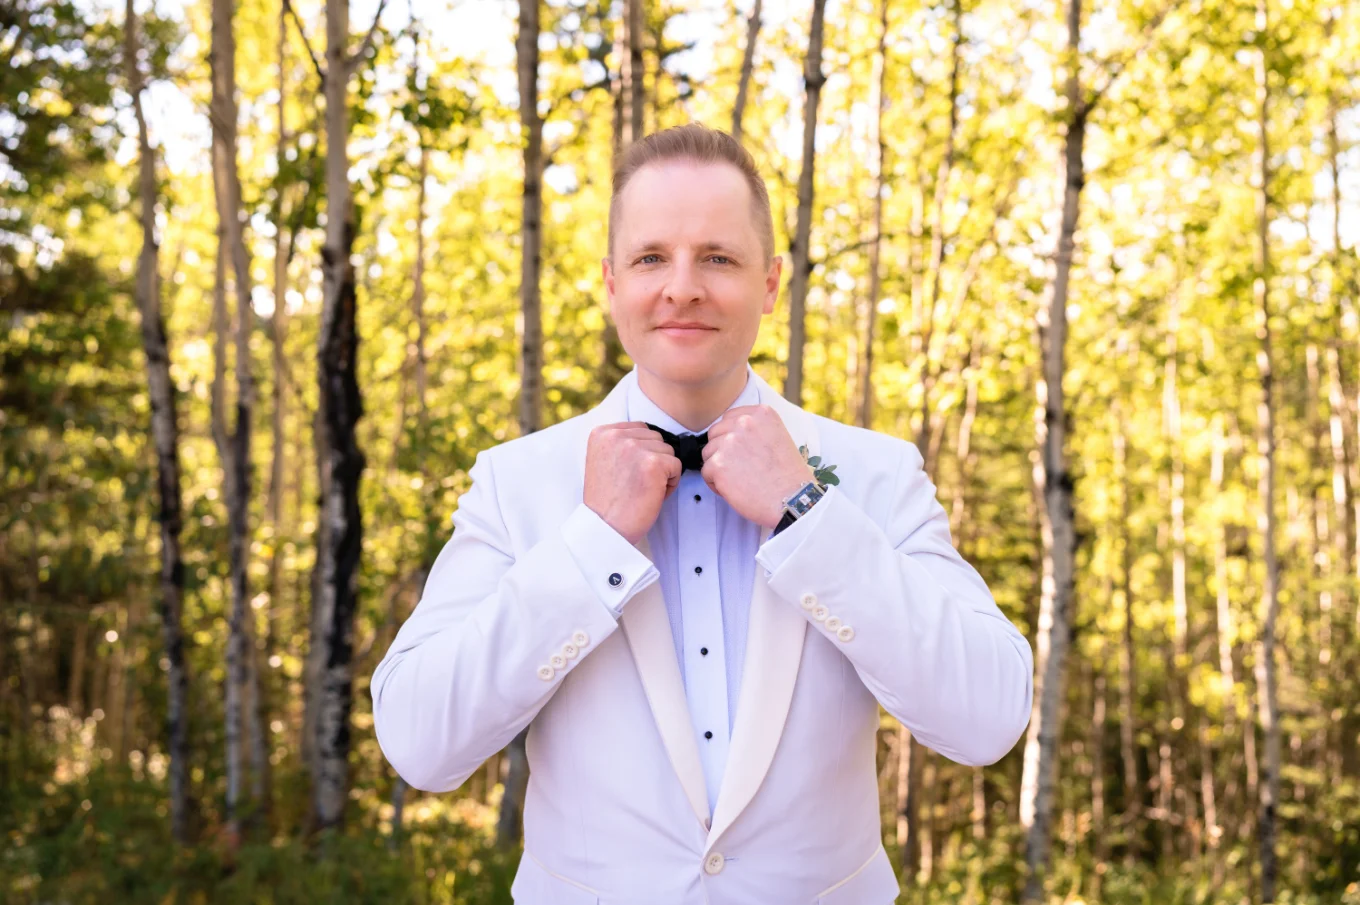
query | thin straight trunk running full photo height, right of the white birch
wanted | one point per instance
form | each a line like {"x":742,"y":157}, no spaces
{"x":1265,"y":666}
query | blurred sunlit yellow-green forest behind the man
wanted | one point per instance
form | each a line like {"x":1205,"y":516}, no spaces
{"x":271,"y":277}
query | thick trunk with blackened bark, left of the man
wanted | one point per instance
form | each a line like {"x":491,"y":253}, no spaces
{"x":342,"y":462}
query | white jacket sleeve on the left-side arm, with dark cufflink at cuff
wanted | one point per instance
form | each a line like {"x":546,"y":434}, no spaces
{"x":496,"y":633}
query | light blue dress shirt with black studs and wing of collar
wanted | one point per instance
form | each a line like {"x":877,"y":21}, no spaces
{"x":707,"y":557}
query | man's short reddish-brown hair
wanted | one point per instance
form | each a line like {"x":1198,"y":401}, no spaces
{"x":700,"y":145}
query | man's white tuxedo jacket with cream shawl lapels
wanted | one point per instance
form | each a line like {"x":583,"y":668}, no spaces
{"x":875,"y":606}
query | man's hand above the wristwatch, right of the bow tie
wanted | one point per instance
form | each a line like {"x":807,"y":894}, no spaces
{"x":754,"y":465}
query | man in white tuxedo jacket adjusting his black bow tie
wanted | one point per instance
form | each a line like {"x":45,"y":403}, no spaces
{"x":720,"y":748}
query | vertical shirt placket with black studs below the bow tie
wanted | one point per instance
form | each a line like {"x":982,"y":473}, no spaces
{"x":705,"y":647}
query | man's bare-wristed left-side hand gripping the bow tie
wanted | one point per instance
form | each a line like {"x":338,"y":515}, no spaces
{"x":630,"y":472}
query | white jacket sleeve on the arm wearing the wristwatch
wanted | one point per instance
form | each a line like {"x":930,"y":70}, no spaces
{"x":917,"y":623}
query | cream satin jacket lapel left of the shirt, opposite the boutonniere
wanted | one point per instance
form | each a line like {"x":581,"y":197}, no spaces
{"x":648,"y":629}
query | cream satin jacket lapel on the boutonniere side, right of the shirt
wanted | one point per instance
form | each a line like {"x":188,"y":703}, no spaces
{"x":775,"y":650}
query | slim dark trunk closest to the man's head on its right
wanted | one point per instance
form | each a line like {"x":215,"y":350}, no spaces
{"x":802,"y":263}
